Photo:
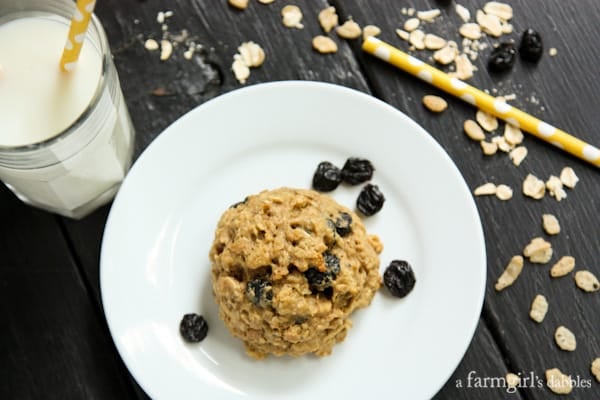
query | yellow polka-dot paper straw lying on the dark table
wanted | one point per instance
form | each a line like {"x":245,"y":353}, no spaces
{"x":482,"y":100}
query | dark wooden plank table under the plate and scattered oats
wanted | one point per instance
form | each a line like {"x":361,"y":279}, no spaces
{"x":54,"y":341}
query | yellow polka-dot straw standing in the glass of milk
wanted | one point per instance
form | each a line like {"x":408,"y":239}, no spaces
{"x":77,"y":32}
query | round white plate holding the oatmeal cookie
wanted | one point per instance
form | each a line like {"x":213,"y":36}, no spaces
{"x":154,"y":260}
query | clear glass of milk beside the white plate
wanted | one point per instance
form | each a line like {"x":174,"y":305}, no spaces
{"x":66,"y":138}
